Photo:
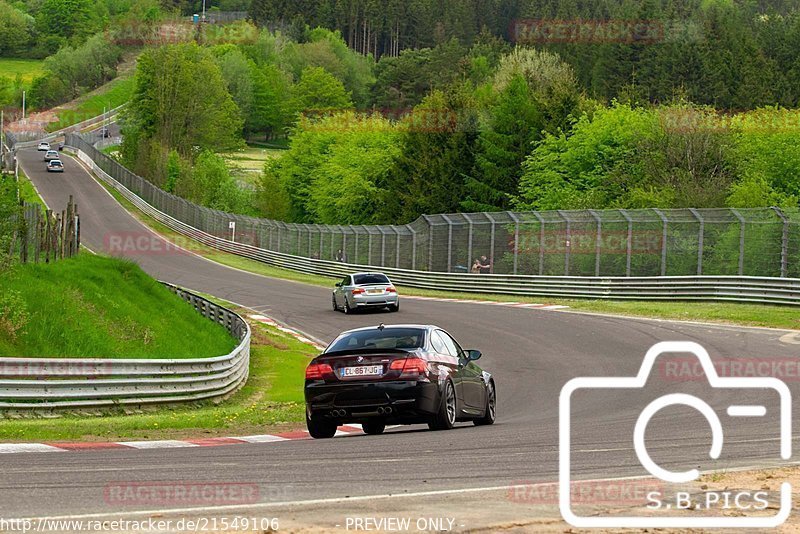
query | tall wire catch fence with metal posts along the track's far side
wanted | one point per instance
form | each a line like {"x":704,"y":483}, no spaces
{"x":762,"y":242}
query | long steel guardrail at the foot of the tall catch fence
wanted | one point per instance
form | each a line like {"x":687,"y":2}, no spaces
{"x":700,"y":288}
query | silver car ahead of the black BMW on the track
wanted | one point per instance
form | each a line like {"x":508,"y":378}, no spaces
{"x":365,"y":290}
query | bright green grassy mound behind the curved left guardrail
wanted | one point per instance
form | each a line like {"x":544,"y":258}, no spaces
{"x":98,"y":307}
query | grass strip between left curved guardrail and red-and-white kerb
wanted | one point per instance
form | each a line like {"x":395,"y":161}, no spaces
{"x":272,"y":400}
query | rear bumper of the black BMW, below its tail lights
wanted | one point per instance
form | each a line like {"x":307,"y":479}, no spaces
{"x":397,"y":401}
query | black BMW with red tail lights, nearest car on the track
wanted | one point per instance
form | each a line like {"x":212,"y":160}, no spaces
{"x":400,"y":374}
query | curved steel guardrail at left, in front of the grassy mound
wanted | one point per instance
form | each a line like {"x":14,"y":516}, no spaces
{"x":52,"y":383}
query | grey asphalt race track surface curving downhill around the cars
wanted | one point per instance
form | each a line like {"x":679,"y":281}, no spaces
{"x":531,"y":353}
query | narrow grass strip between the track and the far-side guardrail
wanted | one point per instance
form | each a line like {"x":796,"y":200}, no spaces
{"x":714,"y":312}
